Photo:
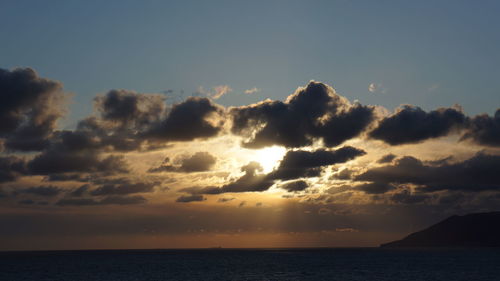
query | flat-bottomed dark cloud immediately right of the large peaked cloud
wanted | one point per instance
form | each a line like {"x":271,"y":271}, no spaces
{"x":411,"y":124}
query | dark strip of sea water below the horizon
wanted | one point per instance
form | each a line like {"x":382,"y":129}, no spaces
{"x":261,"y":265}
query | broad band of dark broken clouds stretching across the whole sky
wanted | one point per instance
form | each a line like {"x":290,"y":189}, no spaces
{"x":312,"y":124}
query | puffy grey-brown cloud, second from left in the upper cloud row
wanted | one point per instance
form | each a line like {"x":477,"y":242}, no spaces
{"x":124,"y":116}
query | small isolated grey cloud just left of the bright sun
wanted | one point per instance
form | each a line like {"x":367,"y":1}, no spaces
{"x":198,"y":162}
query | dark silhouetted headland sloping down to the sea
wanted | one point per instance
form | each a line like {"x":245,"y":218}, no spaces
{"x":473,"y":230}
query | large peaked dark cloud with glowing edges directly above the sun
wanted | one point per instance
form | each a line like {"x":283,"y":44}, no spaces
{"x":312,"y":112}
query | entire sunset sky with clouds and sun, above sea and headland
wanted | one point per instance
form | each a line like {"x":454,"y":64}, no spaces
{"x":165,"y":124}
